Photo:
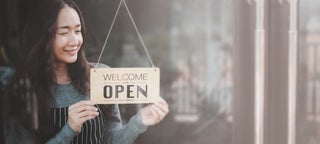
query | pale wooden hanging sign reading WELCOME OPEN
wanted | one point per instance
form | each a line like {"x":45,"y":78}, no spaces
{"x":124,"y":85}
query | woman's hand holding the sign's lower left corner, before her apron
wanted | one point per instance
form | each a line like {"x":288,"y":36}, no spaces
{"x":79,"y":113}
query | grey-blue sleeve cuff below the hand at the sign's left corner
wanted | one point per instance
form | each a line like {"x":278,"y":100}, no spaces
{"x":65,"y":136}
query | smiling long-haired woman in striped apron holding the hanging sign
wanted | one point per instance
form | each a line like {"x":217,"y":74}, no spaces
{"x":50,"y":90}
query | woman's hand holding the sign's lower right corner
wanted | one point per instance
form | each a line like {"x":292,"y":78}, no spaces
{"x":154,"y":113}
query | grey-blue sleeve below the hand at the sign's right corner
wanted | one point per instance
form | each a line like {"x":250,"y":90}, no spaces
{"x":116,"y":133}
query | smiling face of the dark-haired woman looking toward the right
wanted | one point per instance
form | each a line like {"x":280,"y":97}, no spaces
{"x":68,"y":37}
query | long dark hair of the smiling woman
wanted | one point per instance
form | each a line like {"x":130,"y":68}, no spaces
{"x":35,"y":77}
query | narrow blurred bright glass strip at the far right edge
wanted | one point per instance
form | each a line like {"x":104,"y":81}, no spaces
{"x":308,"y":128}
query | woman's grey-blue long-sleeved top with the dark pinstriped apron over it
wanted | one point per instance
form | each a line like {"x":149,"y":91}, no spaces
{"x":98,"y":130}
